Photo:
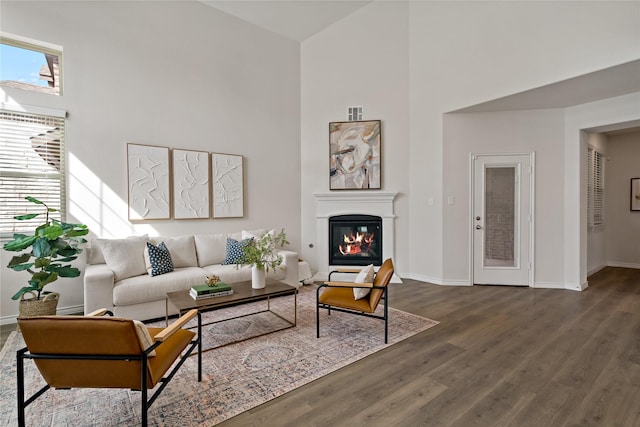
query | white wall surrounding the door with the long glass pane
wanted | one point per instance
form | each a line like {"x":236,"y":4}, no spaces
{"x":539,"y":131}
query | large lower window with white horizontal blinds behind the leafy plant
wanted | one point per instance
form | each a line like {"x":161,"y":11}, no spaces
{"x":32,"y":163}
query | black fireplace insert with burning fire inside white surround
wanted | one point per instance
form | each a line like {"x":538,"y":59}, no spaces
{"x":355,"y":240}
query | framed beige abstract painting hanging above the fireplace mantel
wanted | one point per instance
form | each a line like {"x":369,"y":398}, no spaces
{"x":355,"y":155}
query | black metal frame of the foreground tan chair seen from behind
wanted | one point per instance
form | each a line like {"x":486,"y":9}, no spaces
{"x":146,"y":402}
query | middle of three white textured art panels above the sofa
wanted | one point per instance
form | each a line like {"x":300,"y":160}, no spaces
{"x":191,"y":187}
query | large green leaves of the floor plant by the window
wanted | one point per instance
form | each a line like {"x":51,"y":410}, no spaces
{"x":52,"y":244}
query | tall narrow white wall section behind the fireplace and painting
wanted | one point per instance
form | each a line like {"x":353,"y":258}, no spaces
{"x":361,"y":60}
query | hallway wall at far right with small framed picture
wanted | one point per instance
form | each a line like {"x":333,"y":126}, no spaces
{"x":623,"y":225}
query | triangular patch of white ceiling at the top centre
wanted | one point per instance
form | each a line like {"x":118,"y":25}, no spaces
{"x":295,"y":19}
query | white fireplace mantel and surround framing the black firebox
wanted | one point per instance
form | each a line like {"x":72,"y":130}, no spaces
{"x":376,"y":203}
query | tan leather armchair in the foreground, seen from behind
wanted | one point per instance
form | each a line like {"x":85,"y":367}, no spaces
{"x":96,"y":351}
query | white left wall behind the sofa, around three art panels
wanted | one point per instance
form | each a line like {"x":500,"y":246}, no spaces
{"x":174,"y":74}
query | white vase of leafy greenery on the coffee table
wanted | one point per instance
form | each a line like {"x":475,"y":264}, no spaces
{"x":261,"y":255}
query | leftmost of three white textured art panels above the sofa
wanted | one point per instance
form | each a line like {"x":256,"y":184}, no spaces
{"x":148,"y":182}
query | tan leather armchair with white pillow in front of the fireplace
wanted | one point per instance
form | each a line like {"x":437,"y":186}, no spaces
{"x":338,"y":296}
